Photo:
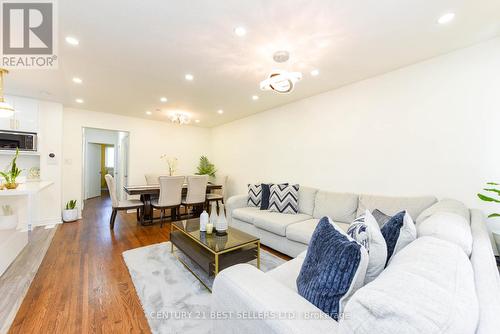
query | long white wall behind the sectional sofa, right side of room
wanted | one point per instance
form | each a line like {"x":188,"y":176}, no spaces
{"x":429,"y":128}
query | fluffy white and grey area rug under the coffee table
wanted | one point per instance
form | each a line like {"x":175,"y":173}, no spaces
{"x":174,"y":301}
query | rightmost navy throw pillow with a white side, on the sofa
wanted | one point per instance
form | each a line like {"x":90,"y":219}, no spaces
{"x":398,"y":232}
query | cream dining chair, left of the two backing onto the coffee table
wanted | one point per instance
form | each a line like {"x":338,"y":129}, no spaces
{"x":170,"y":196}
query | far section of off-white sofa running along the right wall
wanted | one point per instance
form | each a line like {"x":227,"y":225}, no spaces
{"x":290,"y":234}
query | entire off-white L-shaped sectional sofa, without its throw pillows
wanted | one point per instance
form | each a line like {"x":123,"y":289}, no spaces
{"x":430,"y":286}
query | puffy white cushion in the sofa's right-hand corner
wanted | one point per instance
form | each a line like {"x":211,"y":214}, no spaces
{"x":448,"y":226}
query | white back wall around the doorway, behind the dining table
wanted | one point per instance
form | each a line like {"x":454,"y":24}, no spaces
{"x":148,"y":141}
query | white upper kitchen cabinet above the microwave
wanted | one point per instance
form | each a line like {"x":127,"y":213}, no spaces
{"x":25,"y":118}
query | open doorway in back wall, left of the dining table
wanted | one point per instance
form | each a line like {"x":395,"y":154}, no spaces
{"x":105,"y":152}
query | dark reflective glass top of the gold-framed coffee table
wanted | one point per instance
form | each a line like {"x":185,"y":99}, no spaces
{"x":216,"y":243}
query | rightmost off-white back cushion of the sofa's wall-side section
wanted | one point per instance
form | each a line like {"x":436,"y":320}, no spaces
{"x":392,"y":205}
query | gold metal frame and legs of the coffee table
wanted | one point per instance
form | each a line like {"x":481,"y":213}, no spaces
{"x":215,"y":253}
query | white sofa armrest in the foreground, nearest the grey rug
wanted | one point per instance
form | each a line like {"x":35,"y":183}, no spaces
{"x":246,"y":300}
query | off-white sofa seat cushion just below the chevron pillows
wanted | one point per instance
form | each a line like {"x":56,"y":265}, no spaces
{"x":276,"y":222}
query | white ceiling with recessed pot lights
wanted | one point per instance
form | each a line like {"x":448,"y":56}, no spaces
{"x":132,"y":52}
